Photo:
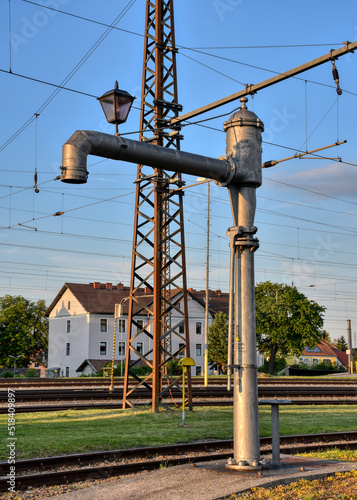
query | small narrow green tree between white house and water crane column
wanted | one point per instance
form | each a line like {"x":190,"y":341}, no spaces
{"x":218,"y":341}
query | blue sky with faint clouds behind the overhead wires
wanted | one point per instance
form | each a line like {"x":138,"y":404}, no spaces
{"x":306,"y":212}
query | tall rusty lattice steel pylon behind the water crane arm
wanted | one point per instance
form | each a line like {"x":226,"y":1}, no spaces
{"x":158,"y":285}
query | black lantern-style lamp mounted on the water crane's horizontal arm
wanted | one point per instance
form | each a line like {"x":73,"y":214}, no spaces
{"x":116,"y":105}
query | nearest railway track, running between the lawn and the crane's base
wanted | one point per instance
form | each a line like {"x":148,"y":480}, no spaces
{"x":89,"y":466}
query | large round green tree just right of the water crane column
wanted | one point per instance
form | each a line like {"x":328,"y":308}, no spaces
{"x":286,"y":320}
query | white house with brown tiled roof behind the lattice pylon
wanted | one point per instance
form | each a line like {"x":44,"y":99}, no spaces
{"x":81,"y":327}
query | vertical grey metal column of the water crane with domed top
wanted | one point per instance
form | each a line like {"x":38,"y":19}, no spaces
{"x":244,"y":145}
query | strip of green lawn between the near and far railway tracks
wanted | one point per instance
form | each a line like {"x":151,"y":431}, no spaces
{"x":65,"y":432}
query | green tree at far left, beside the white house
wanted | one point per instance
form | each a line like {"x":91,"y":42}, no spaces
{"x":23,"y":330}
